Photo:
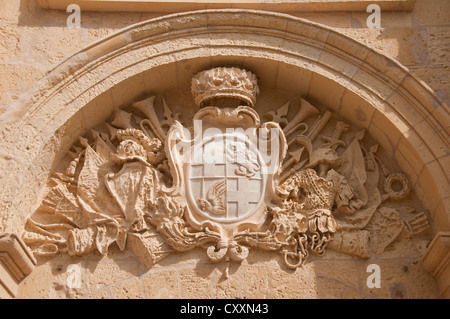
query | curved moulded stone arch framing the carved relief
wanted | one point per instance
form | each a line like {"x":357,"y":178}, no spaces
{"x":300,"y":57}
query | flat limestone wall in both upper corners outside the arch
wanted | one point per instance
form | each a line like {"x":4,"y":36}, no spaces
{"x":35,"y":40}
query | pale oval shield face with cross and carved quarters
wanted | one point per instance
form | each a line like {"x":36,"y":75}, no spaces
{"x":225,"y":179}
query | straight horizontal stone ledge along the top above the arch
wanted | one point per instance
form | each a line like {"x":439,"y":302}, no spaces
{"x":185,"y":5}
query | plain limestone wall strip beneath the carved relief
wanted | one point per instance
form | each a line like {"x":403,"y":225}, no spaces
{"x":262,"y":275}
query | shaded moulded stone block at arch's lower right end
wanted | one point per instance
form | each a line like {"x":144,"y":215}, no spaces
{"x":436,"y":260}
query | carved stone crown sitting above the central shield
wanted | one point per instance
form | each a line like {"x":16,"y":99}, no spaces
{"x":225,"y":83}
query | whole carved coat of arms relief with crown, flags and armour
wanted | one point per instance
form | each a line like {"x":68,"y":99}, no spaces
{"x":226,"y":182}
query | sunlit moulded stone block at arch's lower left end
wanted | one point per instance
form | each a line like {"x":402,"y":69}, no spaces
{"x":16,"y":262}
